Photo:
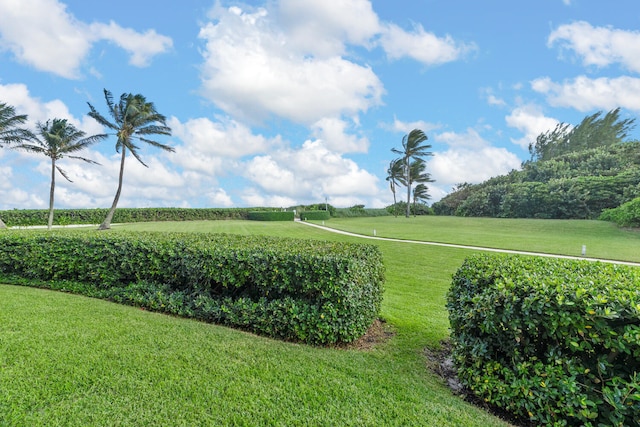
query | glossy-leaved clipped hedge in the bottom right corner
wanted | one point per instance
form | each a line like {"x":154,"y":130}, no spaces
{"x":554,"y":341}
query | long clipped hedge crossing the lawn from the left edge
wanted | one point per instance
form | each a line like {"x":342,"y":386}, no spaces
{"x":302,"y":290}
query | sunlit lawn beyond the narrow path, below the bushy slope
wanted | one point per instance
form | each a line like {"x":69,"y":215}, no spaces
{"x":564,"y":237}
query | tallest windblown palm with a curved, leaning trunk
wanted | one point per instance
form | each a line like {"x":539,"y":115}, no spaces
{"x":133,"y":119}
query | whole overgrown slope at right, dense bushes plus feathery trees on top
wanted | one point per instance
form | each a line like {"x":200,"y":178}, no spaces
{"x":575,"y":172}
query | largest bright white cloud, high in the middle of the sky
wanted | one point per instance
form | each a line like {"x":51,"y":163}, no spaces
{"x":250,"y":73}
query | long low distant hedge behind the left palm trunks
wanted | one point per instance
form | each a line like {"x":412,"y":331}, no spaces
{"x":30,"y":217}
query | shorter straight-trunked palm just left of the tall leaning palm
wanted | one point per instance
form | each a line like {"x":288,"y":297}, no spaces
{"x":58,"y":139}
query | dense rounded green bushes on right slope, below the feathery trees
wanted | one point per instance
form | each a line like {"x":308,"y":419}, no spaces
{"x":576,"y":185}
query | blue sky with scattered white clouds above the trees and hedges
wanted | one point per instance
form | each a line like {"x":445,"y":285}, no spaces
{"x":281,"y":102}
